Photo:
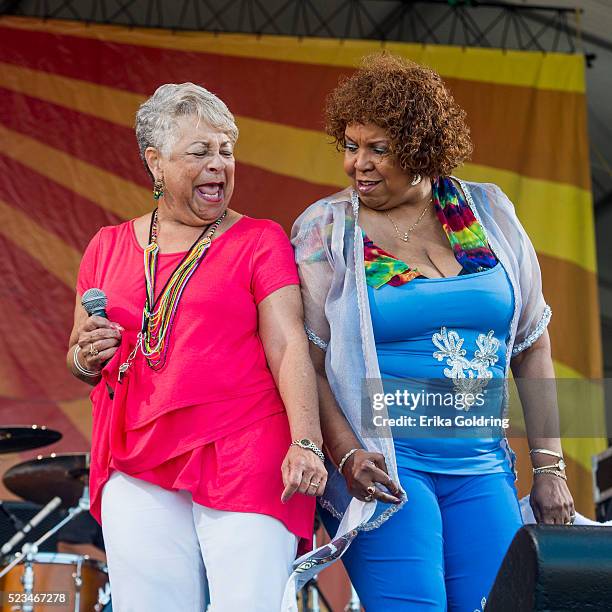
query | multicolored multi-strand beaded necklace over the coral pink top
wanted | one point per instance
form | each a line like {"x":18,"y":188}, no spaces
{"x":158,"y":314}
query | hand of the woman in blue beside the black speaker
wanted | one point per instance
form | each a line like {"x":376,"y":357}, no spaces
{"x":551,"y":501}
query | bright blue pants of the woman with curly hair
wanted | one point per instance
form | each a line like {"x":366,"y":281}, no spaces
{"x":442,"y":550}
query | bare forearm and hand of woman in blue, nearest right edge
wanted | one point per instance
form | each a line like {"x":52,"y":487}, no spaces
{"x":550,"y":497}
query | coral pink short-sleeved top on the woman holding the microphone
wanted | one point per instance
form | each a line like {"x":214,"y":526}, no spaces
{"x":211,"y":421}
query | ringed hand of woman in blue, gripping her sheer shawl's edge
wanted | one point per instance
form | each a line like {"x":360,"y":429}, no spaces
{"x":363,"y":471}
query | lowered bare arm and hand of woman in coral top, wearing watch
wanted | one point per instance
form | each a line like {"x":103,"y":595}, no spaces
{"x":281,"y":330}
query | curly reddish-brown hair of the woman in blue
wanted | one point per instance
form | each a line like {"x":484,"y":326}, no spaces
{"x":426,"y":127}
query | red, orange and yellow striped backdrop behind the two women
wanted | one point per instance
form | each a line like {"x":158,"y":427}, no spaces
{"x":69,"y":164}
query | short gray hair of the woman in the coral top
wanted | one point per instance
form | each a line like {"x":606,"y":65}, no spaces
{"x":156,"y":118}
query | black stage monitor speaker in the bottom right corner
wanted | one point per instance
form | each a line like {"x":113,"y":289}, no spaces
{"x":555,"y":568}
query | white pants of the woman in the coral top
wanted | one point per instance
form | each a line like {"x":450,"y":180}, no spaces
{"x":158,"y":541}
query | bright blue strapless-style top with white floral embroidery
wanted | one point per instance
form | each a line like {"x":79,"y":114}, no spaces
{"x":446,"y":339}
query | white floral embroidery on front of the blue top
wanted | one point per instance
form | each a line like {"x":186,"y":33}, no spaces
{"x":470,"y":376}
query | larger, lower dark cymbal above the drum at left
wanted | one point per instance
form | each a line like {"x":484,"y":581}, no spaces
{"x":40,"y":480}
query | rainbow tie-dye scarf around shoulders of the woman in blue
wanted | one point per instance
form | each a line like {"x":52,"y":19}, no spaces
{"x":464,"y":233}
